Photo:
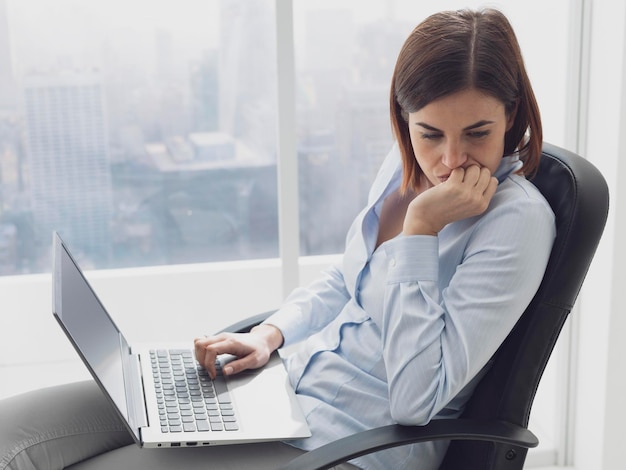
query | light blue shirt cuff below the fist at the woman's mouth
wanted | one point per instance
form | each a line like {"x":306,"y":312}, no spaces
{"x":412,"y":258}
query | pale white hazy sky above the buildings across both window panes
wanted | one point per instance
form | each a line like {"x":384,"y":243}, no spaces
{"x":42,"y":31}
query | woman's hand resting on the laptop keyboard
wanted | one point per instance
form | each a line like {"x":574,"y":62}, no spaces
{"x":252,"y":349}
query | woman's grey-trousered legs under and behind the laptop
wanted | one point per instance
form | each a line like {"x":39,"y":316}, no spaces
{"x":74,"y":426}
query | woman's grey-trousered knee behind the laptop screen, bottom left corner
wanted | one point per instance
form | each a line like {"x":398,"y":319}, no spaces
{"x":55,"y":427}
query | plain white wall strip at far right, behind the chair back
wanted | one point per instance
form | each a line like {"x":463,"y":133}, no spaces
{"x":600,"y":408}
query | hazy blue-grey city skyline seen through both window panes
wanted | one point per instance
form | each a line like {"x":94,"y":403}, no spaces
{"x":166,"y":105}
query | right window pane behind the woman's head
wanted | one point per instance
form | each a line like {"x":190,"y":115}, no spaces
{"x":345,"y":54}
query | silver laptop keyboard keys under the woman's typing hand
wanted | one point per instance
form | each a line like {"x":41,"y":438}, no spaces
{"x":188,"y":399}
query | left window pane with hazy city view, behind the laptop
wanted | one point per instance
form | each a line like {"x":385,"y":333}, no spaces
{"x":144,"y":132}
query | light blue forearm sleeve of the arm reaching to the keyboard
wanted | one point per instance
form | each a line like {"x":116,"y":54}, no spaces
{"x":308,"y":309}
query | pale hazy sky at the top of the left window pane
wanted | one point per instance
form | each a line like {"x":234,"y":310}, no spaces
{"x":42,"y":31}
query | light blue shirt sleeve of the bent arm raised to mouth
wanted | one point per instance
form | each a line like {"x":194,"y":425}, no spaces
{"x":436,"y":340}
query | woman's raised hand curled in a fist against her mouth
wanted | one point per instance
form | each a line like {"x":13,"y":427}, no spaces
{"x":466,"y":193}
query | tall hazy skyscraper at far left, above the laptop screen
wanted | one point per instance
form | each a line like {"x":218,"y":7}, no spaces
{"x":69,"y":159}
